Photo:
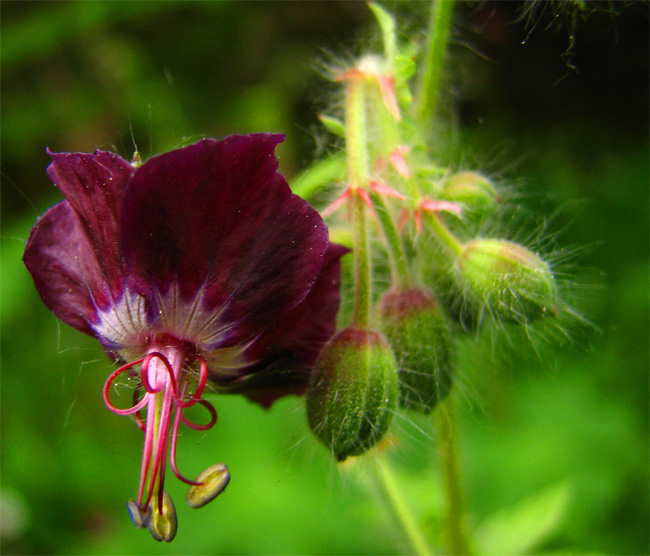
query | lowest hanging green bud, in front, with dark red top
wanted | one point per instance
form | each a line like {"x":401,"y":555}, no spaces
{"x":353,"y":392}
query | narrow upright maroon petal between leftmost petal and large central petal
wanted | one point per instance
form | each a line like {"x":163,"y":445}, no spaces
{"x":94,"y":185}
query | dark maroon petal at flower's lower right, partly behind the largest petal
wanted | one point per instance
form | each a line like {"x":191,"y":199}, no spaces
{"x":283,"y":356}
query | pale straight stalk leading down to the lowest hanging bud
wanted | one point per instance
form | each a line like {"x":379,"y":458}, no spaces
{"x":357,"y":156}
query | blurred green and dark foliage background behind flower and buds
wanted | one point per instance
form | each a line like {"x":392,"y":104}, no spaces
{"x":86,"y":75}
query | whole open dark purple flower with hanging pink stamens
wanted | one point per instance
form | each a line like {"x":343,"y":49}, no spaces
{"x":198,"y":265}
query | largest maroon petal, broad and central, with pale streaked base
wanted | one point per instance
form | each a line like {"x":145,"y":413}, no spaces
{"x":212,"y":230}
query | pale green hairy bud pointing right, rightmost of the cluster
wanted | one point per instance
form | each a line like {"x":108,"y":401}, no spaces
{"x":512,"y":281}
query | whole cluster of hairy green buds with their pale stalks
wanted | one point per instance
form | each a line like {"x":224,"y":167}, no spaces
{"x":398,"y":350}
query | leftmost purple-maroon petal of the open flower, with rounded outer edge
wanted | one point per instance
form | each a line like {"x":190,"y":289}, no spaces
{"x":64,"y":267}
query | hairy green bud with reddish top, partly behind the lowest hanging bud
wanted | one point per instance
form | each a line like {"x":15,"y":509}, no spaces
{"x":418,"y":332}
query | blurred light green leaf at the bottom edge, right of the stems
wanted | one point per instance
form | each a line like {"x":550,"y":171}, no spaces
{"x":520,"y":529}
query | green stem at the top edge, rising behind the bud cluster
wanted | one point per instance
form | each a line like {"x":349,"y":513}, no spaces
{"x":438,"y":36}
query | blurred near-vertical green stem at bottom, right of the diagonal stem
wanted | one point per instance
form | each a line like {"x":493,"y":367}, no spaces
{"x":456,"y":540}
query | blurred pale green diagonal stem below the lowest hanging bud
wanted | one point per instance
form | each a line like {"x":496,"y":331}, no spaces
{"x":400,"y":509}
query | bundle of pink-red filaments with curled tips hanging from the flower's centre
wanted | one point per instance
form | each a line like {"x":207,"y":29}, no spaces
{"x":163,"y":397}
